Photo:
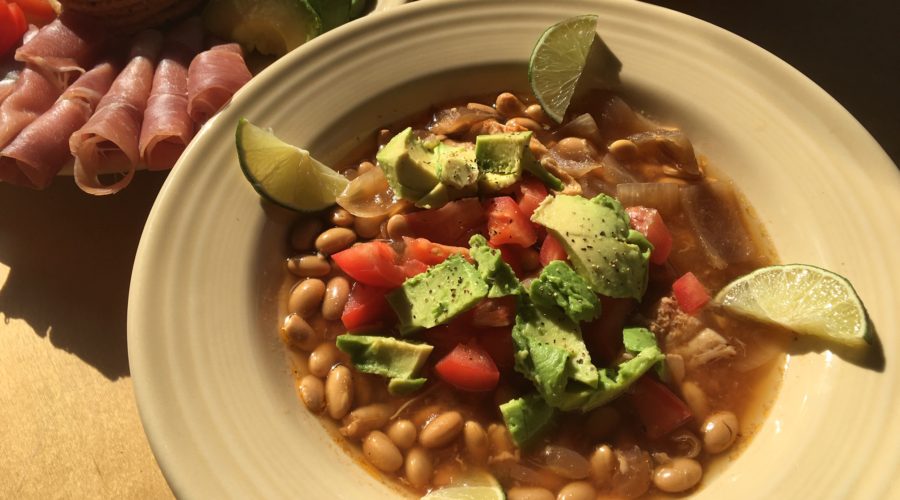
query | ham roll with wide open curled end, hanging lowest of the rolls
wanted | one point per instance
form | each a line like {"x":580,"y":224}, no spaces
{"x":108,"y":142}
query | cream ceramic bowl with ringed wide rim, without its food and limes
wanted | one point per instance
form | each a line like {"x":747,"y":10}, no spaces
{"x":212,"y":380}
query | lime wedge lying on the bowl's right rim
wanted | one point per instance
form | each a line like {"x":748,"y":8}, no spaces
{"x":803,"y":298}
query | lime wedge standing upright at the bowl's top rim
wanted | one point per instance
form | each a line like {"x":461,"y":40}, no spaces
{"x":570,"y":58}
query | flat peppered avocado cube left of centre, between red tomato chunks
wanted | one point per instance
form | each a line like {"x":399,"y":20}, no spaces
{"x":437,"y":295}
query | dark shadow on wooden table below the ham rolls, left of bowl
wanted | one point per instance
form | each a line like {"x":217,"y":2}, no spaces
{"x":69,"y":256}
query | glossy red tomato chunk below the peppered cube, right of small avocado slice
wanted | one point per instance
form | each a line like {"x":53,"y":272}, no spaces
{"x":469,"y":368}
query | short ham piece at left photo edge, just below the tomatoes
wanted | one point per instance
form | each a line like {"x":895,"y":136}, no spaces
{"x":33,"y":95}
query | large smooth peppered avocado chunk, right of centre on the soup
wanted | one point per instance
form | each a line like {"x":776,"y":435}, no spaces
{"x":612,"y":257}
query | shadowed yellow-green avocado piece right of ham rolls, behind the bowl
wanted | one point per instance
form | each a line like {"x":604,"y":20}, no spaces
{"x":273,"y":27}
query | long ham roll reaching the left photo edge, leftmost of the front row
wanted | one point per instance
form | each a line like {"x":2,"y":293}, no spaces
{"x":38,"y":153}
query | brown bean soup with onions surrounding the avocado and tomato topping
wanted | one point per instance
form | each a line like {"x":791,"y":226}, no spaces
{"x":722,"y":371}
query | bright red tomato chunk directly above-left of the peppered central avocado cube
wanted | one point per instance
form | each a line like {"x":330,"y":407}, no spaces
{"x":373,"y":263}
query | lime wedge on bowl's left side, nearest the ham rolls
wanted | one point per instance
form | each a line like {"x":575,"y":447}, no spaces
{"x":285,"y":174}
